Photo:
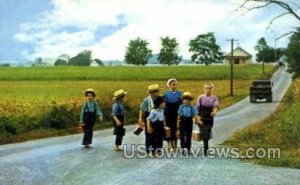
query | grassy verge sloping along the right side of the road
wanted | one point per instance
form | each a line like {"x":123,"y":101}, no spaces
{"x":280,"y":130}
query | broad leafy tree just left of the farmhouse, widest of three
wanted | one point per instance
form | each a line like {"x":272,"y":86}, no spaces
{"x":205,"y":49}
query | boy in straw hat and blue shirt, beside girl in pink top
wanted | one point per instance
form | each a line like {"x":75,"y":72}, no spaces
{"x":186,"y":113}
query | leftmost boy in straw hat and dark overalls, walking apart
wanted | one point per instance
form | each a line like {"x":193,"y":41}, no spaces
{"x":90,"y":110}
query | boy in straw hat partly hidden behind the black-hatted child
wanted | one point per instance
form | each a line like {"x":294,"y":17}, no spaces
{"x":145,"y":110}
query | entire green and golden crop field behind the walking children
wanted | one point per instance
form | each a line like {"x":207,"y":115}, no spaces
{"x":33,"y":97}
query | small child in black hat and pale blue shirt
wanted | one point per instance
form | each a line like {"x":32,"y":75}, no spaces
{"x":155,"y":124}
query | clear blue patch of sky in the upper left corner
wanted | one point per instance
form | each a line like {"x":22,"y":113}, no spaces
{"x":12,"y":14}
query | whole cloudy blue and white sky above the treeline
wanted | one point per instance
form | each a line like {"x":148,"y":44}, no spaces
{"x":49,"y":28}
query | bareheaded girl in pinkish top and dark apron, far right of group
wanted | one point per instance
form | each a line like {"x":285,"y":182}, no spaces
{"x":208,"y":107}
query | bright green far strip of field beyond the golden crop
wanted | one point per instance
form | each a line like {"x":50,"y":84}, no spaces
{"x":241,"y":72}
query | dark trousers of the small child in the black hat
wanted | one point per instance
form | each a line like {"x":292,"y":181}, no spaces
{"x":157,"y":137}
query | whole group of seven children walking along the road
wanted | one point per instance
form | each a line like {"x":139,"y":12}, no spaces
{"x":173,"y":111}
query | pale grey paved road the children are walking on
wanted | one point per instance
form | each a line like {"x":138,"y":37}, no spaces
{"x":61,"y":160}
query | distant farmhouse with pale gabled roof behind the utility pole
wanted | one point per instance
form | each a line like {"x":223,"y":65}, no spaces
{"x":240,"y":56}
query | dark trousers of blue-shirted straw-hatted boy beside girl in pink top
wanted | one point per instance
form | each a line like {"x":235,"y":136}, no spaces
{"x":186,"y":127}
